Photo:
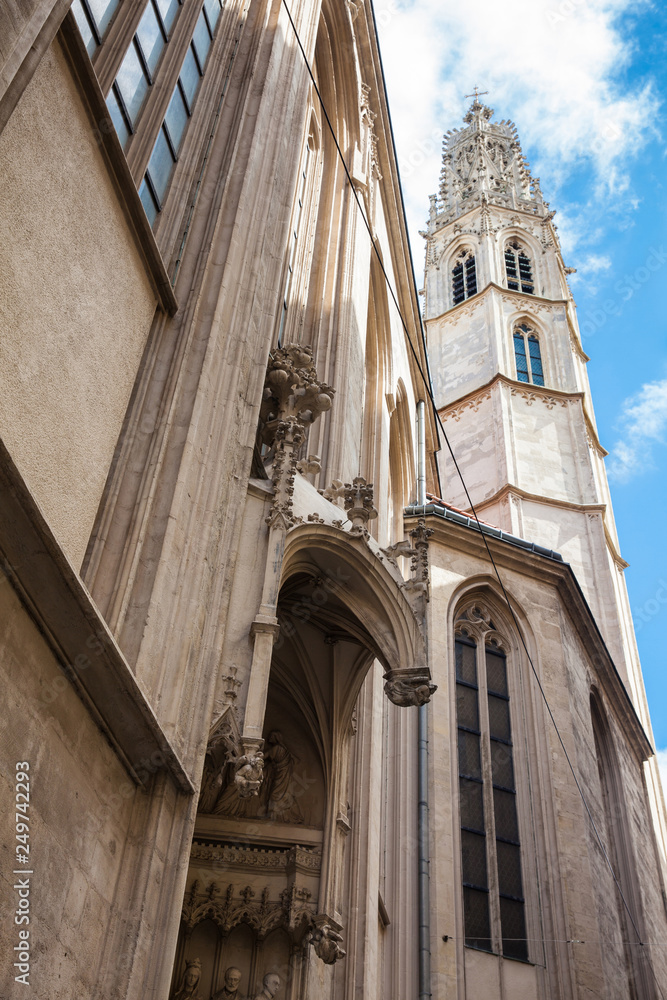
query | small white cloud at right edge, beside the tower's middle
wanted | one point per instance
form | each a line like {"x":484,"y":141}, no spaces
{"x":644,"y":424}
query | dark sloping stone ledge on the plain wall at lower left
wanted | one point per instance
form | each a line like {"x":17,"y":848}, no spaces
{"x":53,"y":595}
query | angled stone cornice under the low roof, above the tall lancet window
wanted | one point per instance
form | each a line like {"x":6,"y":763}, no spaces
{"x":561,"y":577}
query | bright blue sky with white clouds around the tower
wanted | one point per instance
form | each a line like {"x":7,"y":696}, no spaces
{"x":585,"y":81}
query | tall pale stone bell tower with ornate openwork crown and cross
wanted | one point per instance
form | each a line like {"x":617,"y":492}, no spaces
{"x":509,"y":371}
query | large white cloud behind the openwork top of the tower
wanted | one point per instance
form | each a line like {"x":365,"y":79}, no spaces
{"x":554,"y":67}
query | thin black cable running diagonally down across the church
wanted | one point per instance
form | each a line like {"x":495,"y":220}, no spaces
{"x":427,"y":385}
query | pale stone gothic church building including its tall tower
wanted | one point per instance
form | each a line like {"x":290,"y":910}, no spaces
{"x":284,"y":735}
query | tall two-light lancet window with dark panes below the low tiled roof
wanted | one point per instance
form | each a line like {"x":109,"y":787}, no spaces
{"x":493,"y":899}
